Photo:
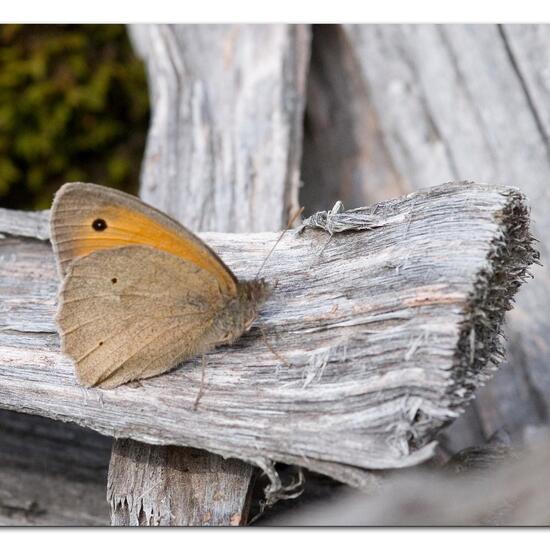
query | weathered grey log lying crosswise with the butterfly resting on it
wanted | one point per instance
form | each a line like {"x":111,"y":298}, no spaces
{"x":370,"y":343}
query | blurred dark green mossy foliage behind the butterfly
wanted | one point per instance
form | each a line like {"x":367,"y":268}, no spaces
{"x":73,"y":107}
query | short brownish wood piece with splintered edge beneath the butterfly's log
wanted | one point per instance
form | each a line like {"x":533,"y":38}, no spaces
{"x":165,"y":484}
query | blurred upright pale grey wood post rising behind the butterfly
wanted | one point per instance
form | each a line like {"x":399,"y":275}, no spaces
{"x":224,"y":145}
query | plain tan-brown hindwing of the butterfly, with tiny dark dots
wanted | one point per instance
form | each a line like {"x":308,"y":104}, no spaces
{"x":134,"y":312}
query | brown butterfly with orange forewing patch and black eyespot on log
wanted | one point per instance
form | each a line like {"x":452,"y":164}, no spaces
{"x":140,"y":293}
